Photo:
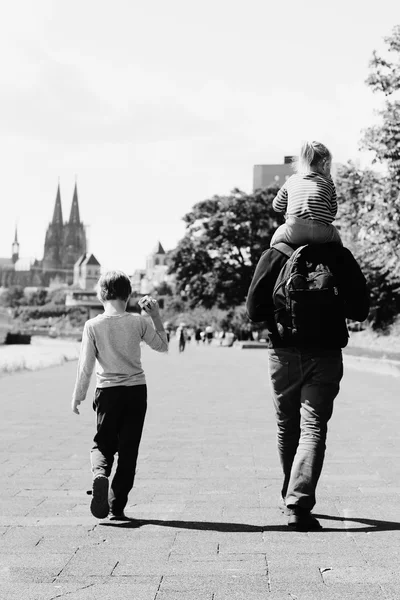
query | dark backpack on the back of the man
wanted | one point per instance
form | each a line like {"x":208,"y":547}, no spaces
{"x":307,"y":300}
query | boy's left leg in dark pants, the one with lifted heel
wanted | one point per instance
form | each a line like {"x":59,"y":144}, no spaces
{"x":107,"y":405}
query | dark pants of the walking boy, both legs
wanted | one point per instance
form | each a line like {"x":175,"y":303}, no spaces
{"x":120,"y":417}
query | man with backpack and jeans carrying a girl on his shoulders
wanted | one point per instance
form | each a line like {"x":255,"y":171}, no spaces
{"x":306,"y":333}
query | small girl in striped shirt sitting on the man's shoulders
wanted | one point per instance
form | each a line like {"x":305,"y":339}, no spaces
{"x":309,"y":200}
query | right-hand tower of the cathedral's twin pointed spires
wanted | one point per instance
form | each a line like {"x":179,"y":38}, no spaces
{"x":74,"y":238}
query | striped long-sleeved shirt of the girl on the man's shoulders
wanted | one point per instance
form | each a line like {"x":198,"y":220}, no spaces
{"x":308,"y":196}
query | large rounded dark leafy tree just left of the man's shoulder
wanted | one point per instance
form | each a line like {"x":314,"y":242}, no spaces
{"x":225,"y":237}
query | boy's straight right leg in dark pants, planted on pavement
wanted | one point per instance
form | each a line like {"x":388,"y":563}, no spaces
{"x":129,"y":436}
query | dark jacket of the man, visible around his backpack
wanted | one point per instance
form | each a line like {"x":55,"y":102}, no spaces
{"x":351,"y":283}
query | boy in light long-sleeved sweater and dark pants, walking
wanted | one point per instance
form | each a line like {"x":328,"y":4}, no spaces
{"x":112,"y":342}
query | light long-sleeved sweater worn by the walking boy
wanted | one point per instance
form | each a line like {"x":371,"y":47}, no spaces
{"x":113,"y":344}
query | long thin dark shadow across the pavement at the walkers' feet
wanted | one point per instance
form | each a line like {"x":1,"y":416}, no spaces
{"x":370,"y":525}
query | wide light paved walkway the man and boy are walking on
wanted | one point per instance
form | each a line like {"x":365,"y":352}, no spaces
{"x":206,"y":493}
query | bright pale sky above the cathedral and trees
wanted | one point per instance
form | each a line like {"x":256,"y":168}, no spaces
{"x":154,"y":106}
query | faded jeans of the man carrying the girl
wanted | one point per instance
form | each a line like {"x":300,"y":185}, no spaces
{"x":304,"y":386}
